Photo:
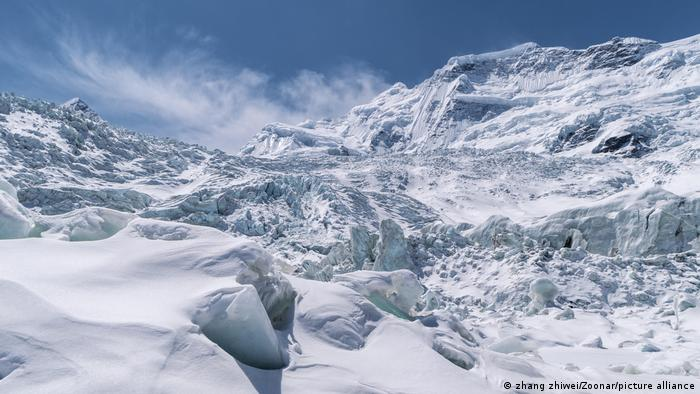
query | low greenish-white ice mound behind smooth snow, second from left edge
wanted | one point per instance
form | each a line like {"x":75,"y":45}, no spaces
{"x":87,"y":224}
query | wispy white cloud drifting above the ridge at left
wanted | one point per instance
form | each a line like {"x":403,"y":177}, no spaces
{"x":188,"y":93}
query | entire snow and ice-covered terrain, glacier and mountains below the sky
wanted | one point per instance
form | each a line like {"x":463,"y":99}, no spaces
{"x":530,"y":214}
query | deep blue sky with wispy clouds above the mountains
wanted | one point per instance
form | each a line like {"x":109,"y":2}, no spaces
{"x":215,"y":71}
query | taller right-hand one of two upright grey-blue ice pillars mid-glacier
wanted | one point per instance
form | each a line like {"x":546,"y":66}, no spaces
{"x":392,"y":248}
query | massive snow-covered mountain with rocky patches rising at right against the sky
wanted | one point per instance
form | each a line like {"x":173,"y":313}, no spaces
{"x":628,"y":96}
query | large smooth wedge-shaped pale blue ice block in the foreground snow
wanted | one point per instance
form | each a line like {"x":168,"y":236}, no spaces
{"x":237,"y":321}
